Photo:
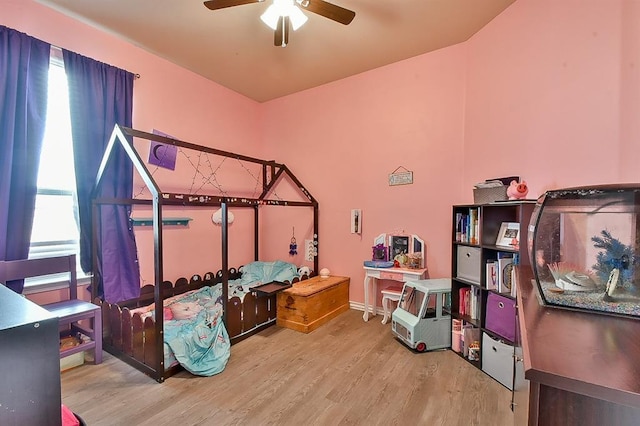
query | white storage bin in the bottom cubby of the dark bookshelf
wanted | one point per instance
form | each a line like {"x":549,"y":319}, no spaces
{"x":498,"y":361}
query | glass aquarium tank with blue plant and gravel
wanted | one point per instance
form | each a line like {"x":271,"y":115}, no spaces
{"x":583,"y":244}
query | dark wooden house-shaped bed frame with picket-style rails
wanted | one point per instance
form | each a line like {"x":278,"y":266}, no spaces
{"x":137,"y":340}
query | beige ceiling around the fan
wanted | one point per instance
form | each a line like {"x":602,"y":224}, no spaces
{"x":235,"y":49}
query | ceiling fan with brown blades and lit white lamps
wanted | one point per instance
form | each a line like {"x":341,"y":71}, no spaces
{"x":283,"y":14}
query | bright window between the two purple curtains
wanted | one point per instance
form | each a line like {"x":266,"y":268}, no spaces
{"x":55,"y":225}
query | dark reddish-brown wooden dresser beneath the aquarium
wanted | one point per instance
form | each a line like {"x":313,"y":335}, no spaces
{"x":582,"y":368}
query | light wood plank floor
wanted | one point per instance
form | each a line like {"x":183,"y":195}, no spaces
{"x":347,"y":372}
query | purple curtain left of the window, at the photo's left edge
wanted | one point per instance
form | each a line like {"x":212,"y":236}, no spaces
{"x":24,"y":73}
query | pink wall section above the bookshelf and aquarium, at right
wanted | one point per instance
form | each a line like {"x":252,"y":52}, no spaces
{"x":547,"y":94}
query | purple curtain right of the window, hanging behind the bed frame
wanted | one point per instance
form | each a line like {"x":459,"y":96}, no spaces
{"x":101,"y":96}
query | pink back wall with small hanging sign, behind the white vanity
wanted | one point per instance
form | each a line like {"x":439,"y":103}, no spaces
{"x":344,"y":139}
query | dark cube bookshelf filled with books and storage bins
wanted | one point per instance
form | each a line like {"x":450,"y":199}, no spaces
{"x":483,"y":291}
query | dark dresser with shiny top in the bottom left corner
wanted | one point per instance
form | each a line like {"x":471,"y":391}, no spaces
{"x":29,"y":363}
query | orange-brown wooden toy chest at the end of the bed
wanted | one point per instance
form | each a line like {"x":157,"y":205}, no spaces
{"x":310,"y":303}
